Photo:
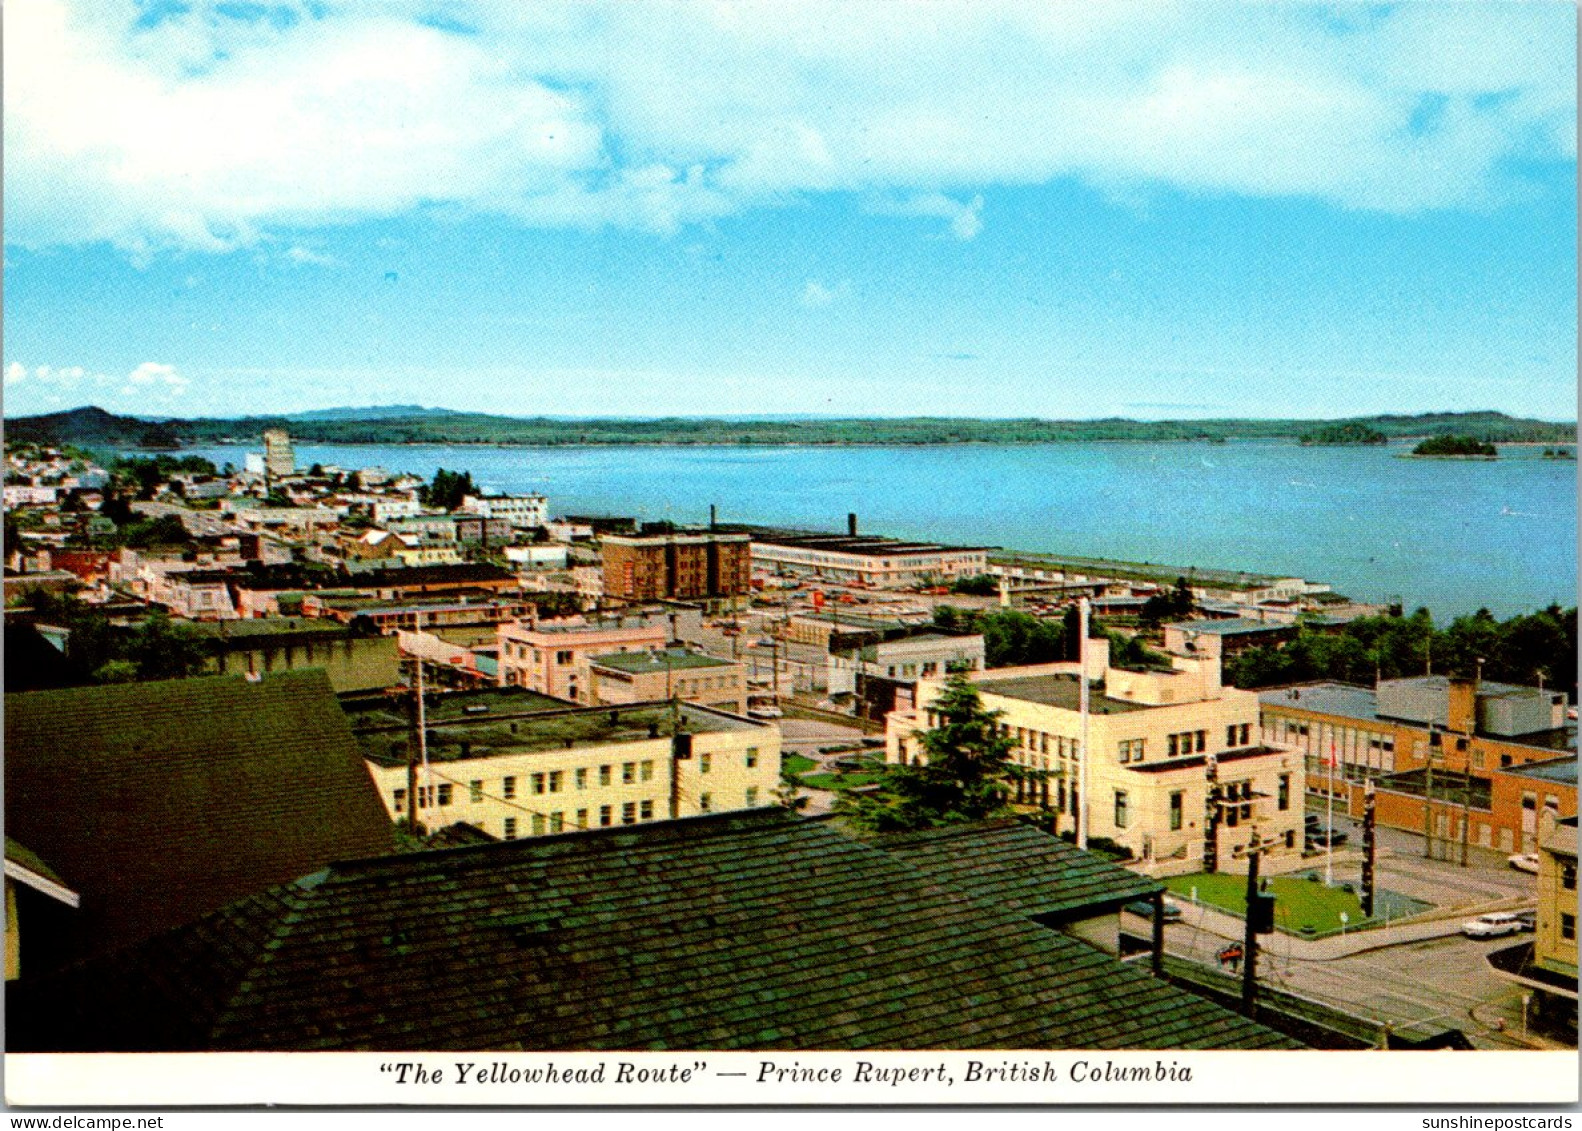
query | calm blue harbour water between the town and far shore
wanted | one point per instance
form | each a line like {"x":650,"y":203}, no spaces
{"x":1442,"y":534}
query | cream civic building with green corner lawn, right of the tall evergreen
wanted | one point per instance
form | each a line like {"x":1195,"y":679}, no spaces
{"x":1160,"y":741}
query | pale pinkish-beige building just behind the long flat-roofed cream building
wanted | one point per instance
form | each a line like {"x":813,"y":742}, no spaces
{"x":553,"y":657}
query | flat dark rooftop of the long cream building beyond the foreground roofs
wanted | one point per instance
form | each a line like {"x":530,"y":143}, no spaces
{"x":550,"y":732}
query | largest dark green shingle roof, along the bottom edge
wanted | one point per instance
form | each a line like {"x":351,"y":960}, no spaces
{"x":717,"y":932}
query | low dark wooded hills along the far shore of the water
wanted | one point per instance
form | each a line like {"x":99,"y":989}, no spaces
{"x":407,"y":425}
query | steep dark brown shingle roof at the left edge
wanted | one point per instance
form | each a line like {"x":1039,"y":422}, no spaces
{"x":167,"y":801}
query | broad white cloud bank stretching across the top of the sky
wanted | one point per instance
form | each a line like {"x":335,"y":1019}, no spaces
{"x":213,"y":132}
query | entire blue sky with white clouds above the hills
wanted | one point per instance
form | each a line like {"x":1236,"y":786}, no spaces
{"x":868,"y":208}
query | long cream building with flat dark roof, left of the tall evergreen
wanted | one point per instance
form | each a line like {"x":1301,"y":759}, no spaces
{"x":558,"y":771}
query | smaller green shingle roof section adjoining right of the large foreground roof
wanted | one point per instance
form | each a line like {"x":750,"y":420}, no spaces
{"x":1020,"y":869}
